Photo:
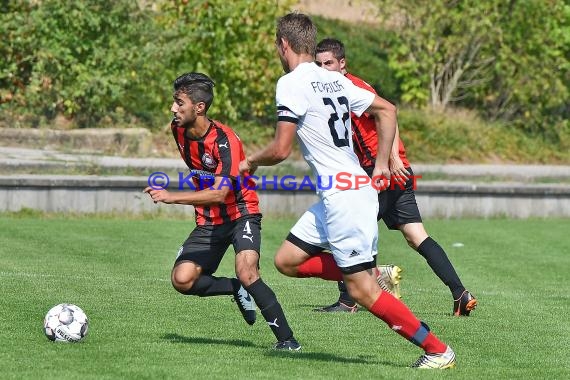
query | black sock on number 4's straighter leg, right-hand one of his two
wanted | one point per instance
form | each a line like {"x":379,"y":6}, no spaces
{"x":270,"y":309}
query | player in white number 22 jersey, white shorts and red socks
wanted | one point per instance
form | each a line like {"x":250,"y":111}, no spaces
{"x":314,"y":105}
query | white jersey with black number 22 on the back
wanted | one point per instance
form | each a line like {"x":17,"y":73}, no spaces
{"x":320,"y":102}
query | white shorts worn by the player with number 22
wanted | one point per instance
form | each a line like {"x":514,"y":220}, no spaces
{"x":345,"y":223}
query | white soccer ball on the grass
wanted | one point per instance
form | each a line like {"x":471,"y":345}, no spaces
{"x":66,"y":323}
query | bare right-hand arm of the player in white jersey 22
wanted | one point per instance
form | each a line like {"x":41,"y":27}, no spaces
{"x":385,"y":118}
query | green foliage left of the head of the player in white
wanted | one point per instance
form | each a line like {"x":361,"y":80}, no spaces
{"x":100,"y":63}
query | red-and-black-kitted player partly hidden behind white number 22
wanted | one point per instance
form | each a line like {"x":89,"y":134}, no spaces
{"x":398,"y":207}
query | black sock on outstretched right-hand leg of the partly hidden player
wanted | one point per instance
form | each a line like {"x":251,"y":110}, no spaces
{"x":442,"y":267}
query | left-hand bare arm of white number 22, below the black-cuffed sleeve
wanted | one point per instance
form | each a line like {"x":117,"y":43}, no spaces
{"x":277,"y":150}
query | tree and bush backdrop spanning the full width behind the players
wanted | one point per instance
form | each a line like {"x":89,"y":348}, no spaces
{"x":94,"y":63}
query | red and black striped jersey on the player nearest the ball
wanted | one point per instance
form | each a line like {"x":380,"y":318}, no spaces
{"x":217,"y":154}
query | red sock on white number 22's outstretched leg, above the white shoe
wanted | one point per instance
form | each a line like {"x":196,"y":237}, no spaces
{"x":401,"y":319}
